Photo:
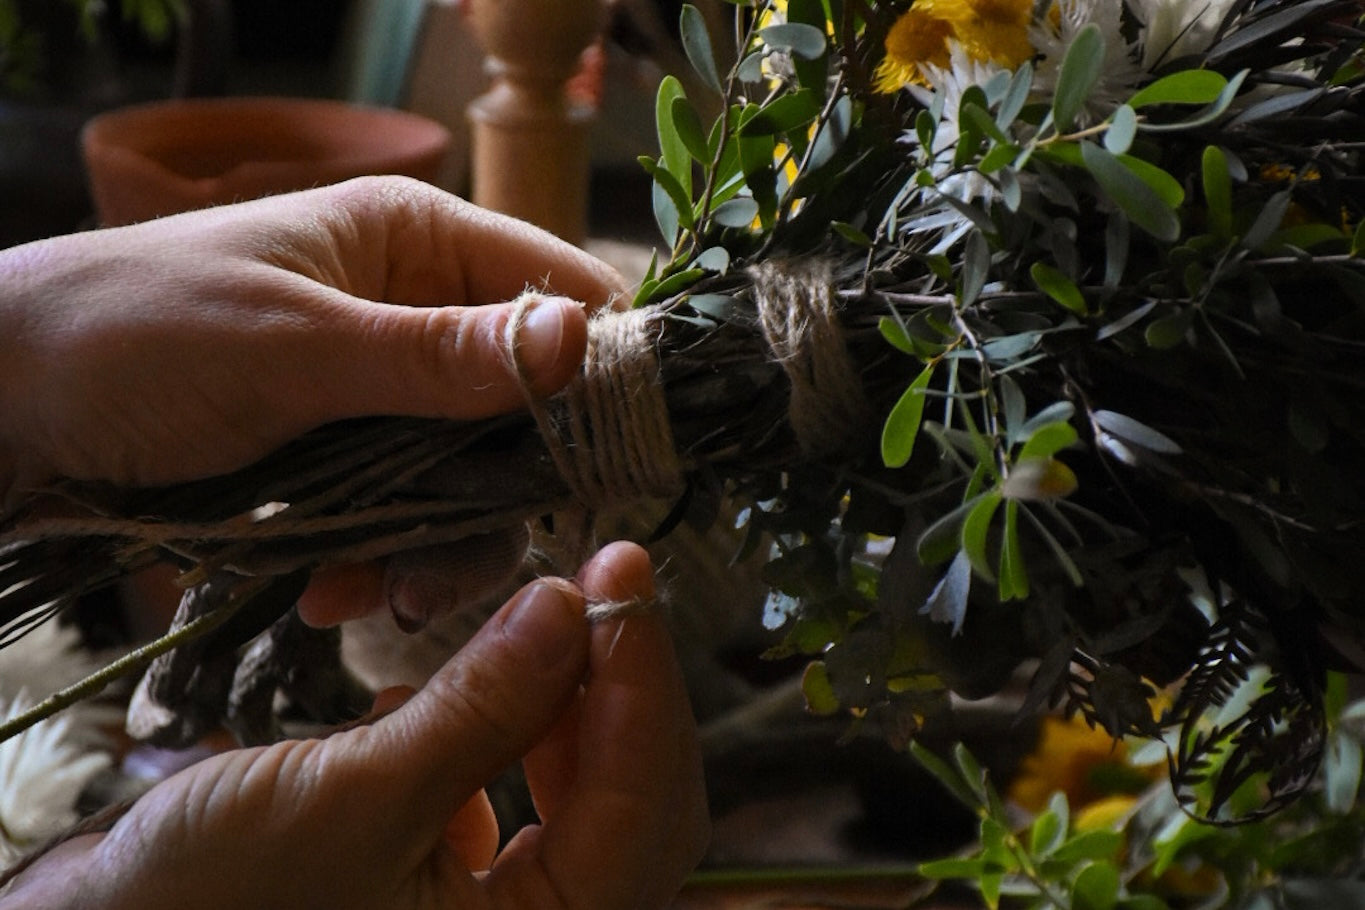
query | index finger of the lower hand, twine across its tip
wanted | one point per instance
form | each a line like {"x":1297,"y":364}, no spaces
{"x":634,"y":822}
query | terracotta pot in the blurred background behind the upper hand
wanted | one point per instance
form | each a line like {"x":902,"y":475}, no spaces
{"x":174,"y":156}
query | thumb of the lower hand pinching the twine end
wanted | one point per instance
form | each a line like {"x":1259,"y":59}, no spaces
{"x":487,"y":709}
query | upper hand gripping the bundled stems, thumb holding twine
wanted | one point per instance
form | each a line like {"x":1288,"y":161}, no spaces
{"x":193,"y":346}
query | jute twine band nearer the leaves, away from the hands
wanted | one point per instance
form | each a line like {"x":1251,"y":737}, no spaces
{"x":801,"y":324}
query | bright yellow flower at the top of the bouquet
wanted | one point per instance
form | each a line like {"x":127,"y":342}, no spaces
{"x":989,"y":31}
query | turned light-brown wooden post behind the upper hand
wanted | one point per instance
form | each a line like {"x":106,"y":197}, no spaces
{"x":530,"y":143}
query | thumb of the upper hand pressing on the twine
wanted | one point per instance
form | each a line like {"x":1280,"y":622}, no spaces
{"x":448,"y":362}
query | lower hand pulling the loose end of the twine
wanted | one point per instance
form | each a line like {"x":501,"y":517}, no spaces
{"x":392,"y":815}
